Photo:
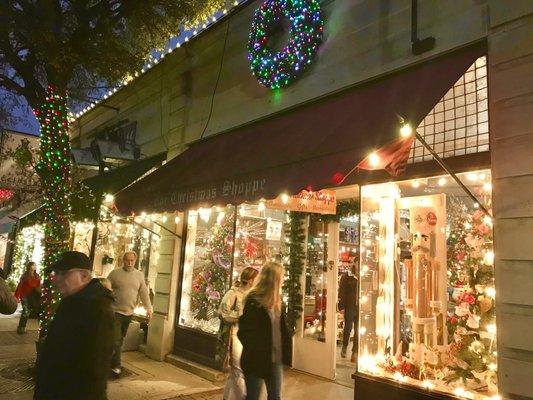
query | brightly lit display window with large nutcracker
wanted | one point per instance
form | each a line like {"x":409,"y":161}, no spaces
{"x":427,"y":308}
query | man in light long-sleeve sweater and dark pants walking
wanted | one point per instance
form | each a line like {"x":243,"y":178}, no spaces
{"x":128,"y":284}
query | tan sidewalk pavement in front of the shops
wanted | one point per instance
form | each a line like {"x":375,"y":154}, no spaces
{"x":143,"y":378}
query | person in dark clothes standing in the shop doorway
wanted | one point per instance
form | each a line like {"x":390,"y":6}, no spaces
{"x":349,"y":306}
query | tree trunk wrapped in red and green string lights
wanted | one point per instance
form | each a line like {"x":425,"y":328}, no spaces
{"x":54,"y":170}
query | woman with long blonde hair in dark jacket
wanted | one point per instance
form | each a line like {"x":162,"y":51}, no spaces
{"x":264,"y":335}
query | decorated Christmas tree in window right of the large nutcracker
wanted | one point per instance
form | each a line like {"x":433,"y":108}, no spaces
{"x":471,"y":308}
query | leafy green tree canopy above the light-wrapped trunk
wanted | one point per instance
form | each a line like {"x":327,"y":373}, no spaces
{"x":78,"y":44}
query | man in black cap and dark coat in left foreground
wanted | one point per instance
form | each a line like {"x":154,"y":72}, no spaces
{"x":74,"y":360}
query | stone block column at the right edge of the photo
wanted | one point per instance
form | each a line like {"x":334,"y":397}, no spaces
{"x":511,"y":127}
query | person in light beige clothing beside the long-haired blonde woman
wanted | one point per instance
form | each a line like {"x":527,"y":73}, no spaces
{"x":230,"y":309}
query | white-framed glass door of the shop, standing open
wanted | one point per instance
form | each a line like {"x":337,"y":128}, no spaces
{"x":315,"y":339}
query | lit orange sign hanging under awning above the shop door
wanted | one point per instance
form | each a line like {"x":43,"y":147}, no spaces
{"x":321,"y":202}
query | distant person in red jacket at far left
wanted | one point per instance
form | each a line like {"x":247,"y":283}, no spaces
{"x":28,"y":293}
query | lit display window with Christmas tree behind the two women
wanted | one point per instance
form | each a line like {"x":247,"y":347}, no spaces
{"x":220,"y":243}
